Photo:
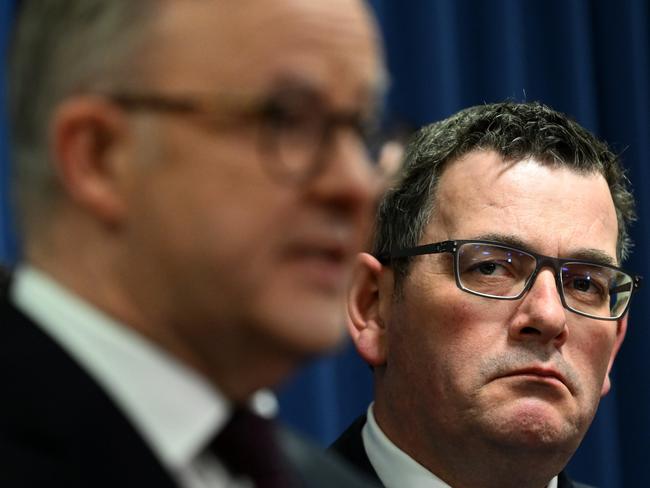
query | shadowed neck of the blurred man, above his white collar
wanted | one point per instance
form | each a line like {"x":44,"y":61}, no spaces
{"x":92,"y":267}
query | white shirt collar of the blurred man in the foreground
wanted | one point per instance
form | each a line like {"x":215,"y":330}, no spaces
{"x":173,"y":408}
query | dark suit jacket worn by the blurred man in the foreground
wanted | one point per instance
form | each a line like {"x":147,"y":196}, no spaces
{"x":58,"y":428}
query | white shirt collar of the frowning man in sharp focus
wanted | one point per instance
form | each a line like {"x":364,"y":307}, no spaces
{"x":395,"y":468}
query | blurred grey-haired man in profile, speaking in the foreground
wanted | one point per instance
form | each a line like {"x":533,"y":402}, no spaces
{"x":193,"y":181}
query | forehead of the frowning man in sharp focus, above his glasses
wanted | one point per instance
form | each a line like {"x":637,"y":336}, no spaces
{"x":458,"y":194}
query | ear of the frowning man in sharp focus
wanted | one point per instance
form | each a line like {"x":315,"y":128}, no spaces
{"x":366,"y":324}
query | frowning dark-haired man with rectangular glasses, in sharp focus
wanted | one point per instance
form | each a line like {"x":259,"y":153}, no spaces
{"x":493,"y":304}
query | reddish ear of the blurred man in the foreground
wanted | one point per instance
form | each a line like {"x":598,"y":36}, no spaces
{"x":87,"y":138}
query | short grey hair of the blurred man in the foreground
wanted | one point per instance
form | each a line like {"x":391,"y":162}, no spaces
{"x":59,"y":48}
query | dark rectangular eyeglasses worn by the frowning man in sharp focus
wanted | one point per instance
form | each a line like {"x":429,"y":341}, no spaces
{"x":493,"y":270}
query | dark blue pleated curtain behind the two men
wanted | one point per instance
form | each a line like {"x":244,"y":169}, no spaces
{"x":590,"y":59}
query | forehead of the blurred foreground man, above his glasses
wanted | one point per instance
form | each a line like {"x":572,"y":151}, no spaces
{"x":251,"y":45}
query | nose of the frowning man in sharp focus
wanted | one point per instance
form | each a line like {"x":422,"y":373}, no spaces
{"x":540,"y":316}
